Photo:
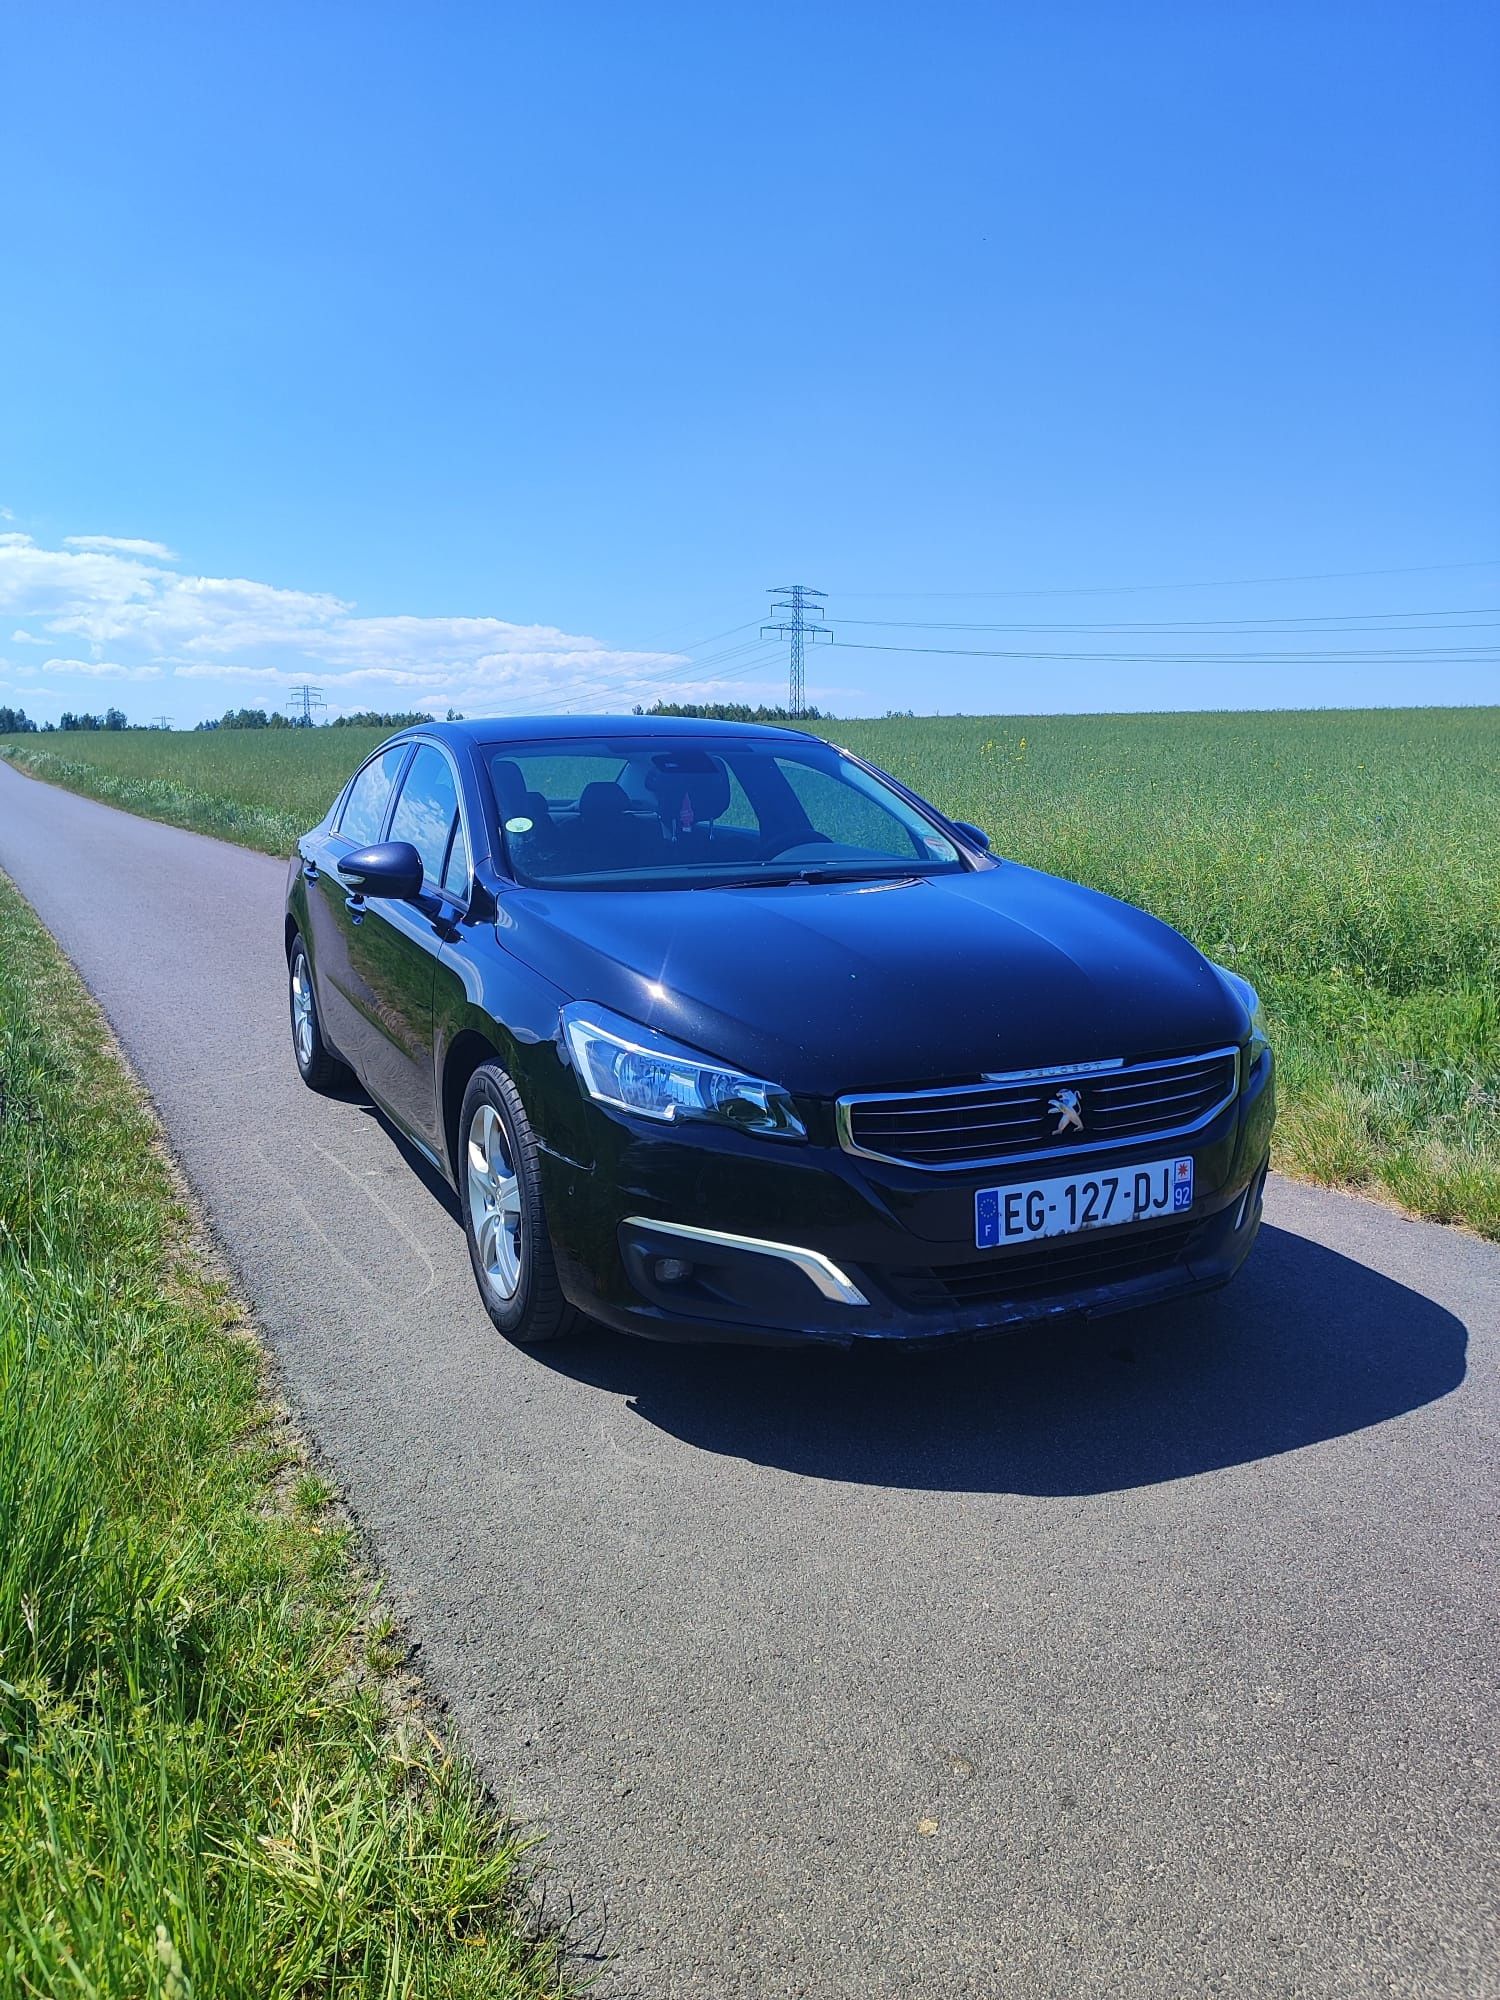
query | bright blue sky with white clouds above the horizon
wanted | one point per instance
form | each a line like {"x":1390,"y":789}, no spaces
{"x":505,"y":355}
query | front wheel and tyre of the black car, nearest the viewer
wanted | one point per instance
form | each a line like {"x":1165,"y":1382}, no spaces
{"x":505,"y":1225}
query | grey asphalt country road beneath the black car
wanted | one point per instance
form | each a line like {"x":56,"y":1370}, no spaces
{"x":1151,"y":1659}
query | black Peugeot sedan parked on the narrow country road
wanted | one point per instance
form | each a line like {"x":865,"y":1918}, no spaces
{"x":721,"y":1033}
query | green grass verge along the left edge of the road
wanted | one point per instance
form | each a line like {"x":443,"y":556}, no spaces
{"x":211,"y":1783}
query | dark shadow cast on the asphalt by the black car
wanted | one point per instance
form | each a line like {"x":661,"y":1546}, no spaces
{"x":1307,"y":1345}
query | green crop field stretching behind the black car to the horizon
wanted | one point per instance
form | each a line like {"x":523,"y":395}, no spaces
{"x":1347,"y":861}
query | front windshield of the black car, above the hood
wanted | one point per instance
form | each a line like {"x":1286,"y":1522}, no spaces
{"x":679,"y":813}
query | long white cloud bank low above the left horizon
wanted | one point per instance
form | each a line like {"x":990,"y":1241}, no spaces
{"x":135,"y":619}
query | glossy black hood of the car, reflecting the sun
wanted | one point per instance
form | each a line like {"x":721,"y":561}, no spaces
{"x":881,"y":985}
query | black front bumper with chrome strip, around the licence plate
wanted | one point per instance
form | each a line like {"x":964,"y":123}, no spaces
{"x":733,"y":1239}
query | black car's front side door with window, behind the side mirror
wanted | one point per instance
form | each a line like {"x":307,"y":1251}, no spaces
{"x":393,"y":951}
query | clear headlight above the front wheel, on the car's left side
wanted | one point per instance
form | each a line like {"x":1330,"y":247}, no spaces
{"x":643,"y":1073}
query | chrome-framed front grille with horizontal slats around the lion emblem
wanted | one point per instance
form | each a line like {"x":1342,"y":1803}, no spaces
{"x":977,"y":1125}
